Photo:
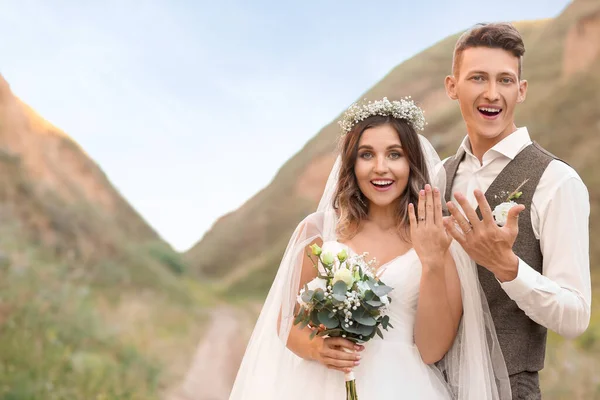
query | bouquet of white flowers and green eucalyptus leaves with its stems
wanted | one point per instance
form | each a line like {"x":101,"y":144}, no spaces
{"x":346,"y":299}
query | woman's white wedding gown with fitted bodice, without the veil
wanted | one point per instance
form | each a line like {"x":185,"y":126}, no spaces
{"x":390,"y":368}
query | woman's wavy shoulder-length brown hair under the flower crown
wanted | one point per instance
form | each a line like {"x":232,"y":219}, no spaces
{"x":350,"y":203}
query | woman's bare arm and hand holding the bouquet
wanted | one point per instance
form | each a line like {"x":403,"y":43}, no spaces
{"x":325,"y":351}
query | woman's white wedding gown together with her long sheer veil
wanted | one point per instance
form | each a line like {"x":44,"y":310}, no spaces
{"x":390,"y":368}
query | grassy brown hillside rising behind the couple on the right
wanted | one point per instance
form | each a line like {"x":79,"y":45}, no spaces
{"x":562,"y":112}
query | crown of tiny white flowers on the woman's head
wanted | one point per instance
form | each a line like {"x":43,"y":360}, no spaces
{"x":405,"y":109}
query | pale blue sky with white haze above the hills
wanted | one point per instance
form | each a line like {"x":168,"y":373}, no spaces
{"x":191,"y":107}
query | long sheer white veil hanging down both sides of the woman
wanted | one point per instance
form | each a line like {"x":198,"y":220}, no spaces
{"x":473,"y":368}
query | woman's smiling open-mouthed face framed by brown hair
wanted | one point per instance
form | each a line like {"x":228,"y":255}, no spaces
{"x":381,"y":168}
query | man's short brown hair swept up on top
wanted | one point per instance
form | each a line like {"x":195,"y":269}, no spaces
{"x":500,"y":35}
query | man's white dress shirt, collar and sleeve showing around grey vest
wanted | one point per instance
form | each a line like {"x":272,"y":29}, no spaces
{"x":560,"y":298}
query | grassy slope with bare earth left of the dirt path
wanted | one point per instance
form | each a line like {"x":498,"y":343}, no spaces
{"x":93,"y":304}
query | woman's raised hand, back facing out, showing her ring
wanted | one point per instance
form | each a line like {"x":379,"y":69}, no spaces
{"x":428,"y":234}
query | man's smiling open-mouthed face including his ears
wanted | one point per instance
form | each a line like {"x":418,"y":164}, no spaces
{"x":488,"y":88}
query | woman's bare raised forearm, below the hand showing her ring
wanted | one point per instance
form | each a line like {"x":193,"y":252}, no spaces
{"x":439,"y":310}
